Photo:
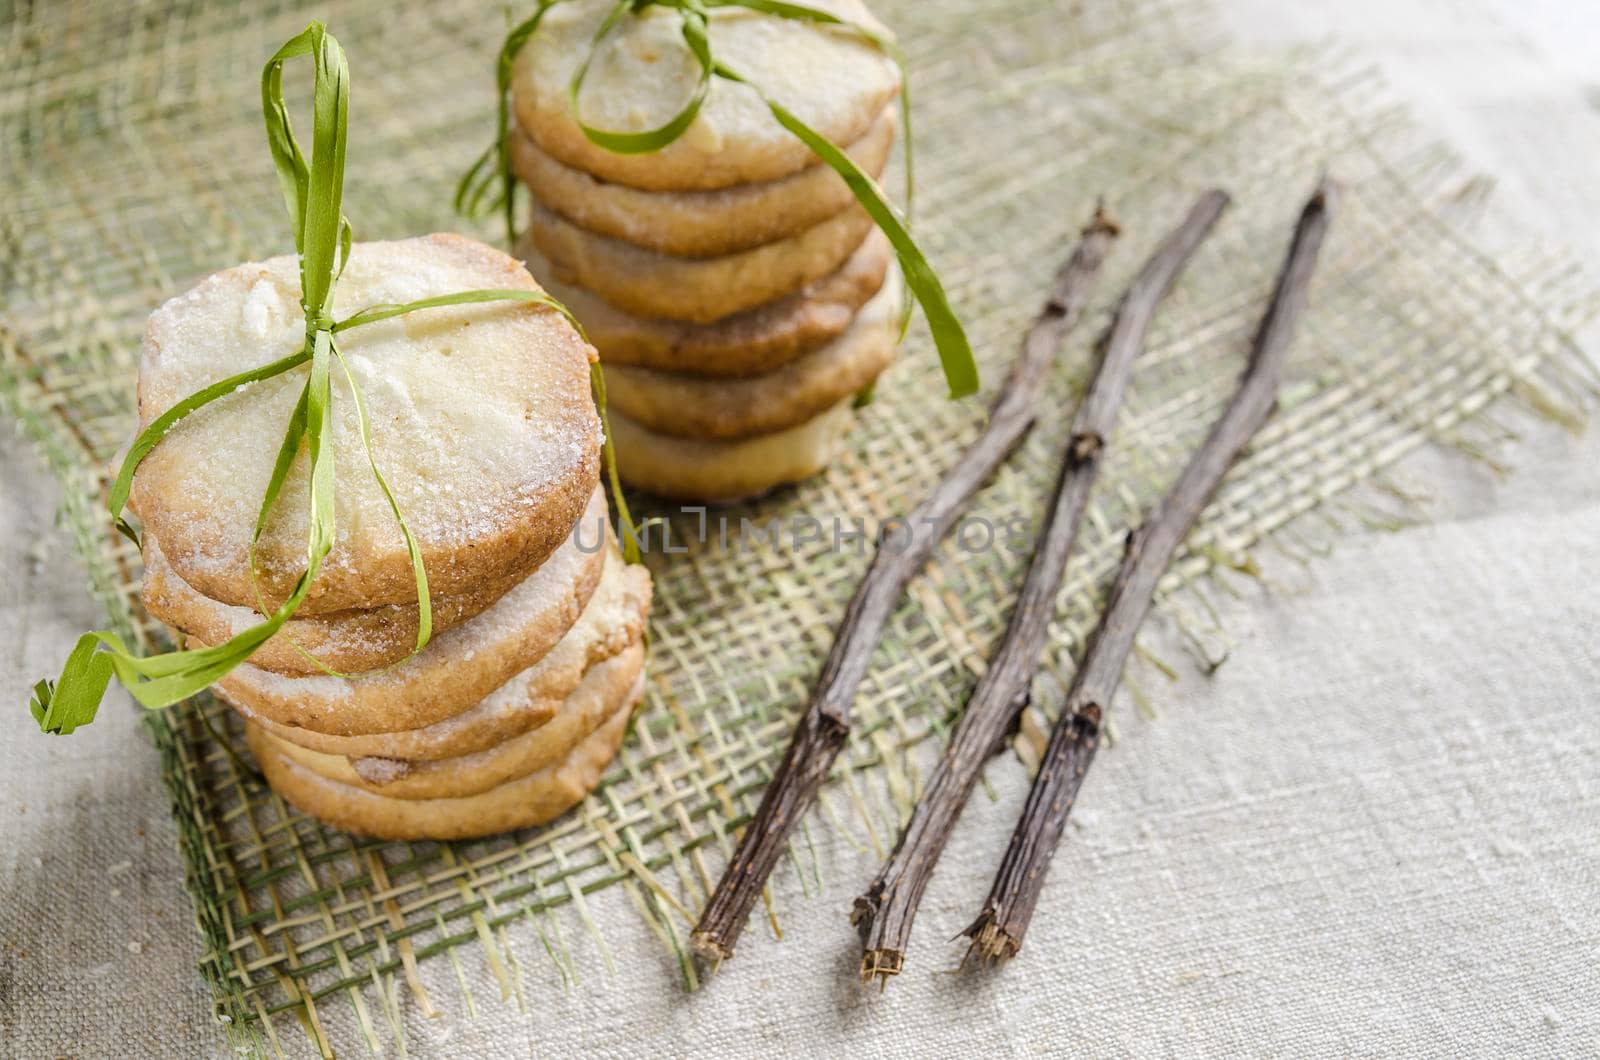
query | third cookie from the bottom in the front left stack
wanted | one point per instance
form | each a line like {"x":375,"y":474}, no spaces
{"x":612,"y":624}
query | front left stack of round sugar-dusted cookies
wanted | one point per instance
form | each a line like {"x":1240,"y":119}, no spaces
{"x":486,"y":430}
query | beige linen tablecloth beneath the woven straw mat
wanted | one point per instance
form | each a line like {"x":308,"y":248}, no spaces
{"x":1377,"y":830}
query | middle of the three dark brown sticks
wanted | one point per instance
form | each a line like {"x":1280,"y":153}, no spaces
{"x":884,"y":915}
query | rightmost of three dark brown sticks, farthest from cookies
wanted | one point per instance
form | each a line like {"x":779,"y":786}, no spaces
{"x":998,"y":933}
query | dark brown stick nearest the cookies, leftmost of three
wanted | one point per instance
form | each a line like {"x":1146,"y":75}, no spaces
{"x":826,"y":721}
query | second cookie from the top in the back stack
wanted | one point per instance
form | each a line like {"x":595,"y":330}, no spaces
{"x":708,"y":223}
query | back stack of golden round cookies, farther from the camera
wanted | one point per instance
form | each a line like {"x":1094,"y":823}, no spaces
{"x":737,"y":292}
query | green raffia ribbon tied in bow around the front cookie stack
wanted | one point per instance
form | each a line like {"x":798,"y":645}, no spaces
{"x":313,"y":196}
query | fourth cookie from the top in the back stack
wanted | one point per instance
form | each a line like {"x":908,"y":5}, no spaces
{"x":748,"y":343}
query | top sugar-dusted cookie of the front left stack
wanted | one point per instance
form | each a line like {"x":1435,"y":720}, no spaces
{"x":482,"y":424}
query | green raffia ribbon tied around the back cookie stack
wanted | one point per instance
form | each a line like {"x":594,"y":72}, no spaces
{"x":490,"y":185}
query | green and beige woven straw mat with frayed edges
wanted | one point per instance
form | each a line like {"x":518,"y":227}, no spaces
{"x":135,"y":164}
